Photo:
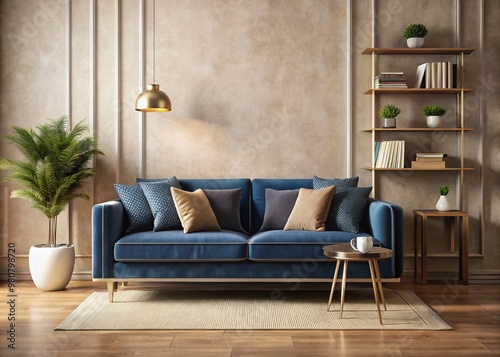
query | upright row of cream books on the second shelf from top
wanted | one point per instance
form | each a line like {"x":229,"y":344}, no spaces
{"x":437,"y":75}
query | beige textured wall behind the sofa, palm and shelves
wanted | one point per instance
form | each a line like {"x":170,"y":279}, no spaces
{"x":258,"y":89}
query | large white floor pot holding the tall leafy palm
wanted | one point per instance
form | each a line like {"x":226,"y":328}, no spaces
{"x":51,"y":267}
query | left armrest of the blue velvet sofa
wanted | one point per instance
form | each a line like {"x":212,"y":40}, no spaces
{"x":108,"y":225}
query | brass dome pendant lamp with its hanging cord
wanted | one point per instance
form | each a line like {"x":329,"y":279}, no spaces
{"x":153,"y":99}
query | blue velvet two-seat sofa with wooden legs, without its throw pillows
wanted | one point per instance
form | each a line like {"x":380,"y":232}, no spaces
{"x":236,"y":256}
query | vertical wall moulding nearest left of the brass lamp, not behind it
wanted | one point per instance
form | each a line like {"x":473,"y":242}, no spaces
{"x":118,"y":90}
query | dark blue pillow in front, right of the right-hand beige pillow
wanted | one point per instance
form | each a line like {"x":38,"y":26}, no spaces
{"x":347,"y":209}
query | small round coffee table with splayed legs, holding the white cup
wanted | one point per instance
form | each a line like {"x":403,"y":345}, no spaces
{"x":343,"y":252}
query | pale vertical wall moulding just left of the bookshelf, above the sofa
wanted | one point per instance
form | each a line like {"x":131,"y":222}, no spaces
{"x":349,"y":90}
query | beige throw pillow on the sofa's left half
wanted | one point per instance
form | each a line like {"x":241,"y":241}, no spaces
{"x":194,"y":210}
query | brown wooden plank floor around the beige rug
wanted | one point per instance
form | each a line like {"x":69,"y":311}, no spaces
{"x":472,"y":311}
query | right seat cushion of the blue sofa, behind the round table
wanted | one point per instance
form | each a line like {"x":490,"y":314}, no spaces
{"x":297,"y":245}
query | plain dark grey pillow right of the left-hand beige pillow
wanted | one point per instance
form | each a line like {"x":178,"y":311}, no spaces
{"x":226,"y":207}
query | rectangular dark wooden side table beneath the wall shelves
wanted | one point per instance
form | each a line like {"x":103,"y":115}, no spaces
{"x":463,"y":253}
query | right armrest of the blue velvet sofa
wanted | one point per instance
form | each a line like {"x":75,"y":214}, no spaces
{"x":384,"y":221}
